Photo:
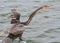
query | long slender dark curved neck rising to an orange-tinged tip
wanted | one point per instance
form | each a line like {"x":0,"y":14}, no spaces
{"x":33,"y":14}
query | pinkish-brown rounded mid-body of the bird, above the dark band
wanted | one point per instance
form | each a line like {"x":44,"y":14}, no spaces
{"x":16,"y":29}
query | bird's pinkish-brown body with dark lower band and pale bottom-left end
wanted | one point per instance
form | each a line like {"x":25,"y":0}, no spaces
{"x":14,"y":32}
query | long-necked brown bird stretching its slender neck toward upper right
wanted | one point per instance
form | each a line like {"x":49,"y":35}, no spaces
{"x":14,"y":32}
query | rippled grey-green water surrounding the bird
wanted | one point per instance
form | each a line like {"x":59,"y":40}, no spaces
{"x":45,"y":26}
